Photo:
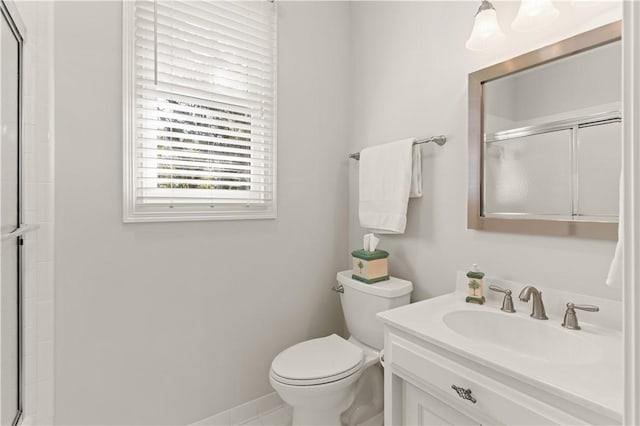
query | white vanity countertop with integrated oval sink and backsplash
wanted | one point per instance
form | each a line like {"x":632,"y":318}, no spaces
{"x":581,"y":366}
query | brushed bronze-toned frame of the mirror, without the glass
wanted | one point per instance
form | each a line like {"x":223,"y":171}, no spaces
{"x":590,"y":229}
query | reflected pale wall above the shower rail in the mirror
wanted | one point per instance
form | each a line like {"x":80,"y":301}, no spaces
{"x":572,"y":87}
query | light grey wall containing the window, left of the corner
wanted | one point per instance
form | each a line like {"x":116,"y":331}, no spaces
{"x":169,"y":323}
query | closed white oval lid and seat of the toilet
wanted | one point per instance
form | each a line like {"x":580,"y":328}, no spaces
{"x":317,"y":361}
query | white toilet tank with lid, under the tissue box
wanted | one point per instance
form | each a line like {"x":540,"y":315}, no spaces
{"x":361,"y":302}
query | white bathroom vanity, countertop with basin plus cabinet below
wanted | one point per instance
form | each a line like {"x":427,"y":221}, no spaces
{"x":449,"y":362}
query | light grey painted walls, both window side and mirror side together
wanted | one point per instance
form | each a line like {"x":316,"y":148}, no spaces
{"x":170,"y":323}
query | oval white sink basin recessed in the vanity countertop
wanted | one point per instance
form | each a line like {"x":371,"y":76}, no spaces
{"x":526,"y":336}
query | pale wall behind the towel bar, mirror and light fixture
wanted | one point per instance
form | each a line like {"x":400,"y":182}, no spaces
{"x":409,"y":78}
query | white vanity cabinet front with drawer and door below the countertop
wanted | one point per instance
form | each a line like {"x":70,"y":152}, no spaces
{"x":421,"y":378}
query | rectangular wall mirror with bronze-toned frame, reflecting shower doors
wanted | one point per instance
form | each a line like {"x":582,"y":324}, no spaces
{"x":545,"y":138}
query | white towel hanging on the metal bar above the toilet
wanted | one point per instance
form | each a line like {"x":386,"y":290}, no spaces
{"x":389,"y":174}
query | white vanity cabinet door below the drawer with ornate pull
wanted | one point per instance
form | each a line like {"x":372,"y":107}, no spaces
{"x":422,"y":408}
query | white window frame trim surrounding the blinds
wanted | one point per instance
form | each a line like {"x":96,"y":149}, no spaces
{"x":134,"y":212}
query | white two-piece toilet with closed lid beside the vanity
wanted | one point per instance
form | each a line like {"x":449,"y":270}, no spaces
{"x":333,"y":381}
